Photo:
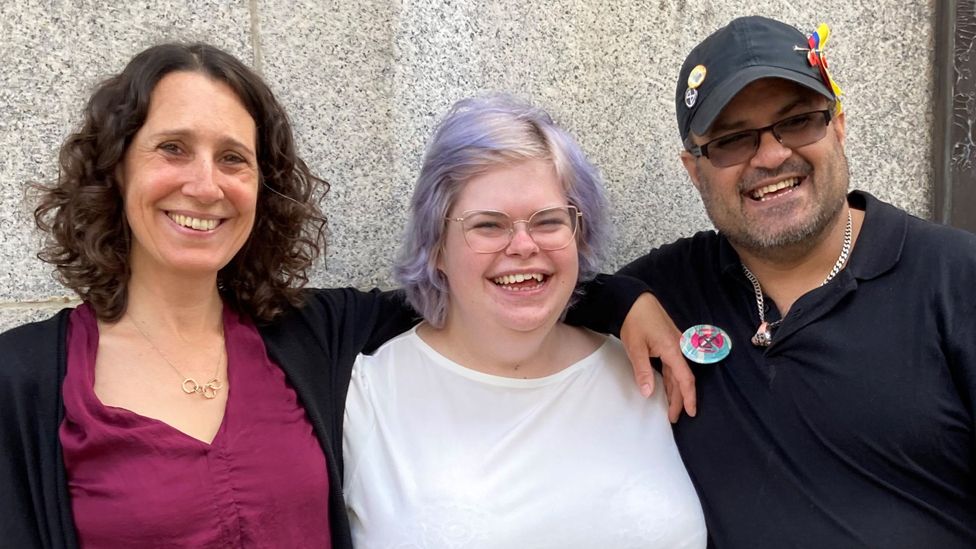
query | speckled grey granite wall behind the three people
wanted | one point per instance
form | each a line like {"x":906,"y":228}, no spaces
{"x":366,"y":81}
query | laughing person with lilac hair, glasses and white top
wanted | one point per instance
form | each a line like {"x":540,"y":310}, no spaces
{"x":493,"y":423}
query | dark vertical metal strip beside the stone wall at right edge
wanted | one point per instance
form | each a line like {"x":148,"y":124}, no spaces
{"x":954,"y":196}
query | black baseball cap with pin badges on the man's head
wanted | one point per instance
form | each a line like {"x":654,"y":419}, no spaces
{"x":745,"y":50}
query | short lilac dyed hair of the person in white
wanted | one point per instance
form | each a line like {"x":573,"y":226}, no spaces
{"x":478,"y":135}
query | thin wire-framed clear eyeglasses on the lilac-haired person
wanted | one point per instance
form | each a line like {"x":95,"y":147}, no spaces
{"x":490,"y":231}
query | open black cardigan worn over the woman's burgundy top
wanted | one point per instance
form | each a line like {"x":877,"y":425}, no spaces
{"x":315,"y":345}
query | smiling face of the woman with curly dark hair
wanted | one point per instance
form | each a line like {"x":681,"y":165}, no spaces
{"x":190,"y":178}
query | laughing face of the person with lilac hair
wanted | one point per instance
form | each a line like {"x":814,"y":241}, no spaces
{"x":521,"y":287}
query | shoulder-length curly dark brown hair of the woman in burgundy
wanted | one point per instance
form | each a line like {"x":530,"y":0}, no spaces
{"x":88,"y":238}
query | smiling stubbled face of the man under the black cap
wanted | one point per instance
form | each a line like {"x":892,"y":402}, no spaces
{"x":780,"y":197}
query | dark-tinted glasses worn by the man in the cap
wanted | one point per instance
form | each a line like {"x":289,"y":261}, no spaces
{"x":735,"y":148}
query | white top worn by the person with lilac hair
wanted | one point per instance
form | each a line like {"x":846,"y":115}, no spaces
{"x":440,"y":456}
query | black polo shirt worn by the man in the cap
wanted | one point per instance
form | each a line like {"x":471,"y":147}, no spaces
{"x":855,"y":428}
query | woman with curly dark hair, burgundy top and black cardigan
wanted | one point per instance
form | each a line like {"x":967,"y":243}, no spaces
{"x":196,"y":396}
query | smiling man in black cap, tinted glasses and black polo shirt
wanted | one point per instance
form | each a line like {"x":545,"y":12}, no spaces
{"x":835,"y":335}
